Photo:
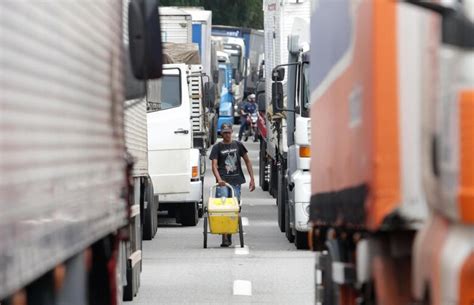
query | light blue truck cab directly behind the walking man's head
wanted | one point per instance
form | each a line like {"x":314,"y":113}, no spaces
{"x":226,"y":113}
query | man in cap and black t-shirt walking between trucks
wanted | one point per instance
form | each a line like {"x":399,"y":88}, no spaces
{"x":226,"y":167}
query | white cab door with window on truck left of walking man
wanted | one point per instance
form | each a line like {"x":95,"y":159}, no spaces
{"x":169,"y":133}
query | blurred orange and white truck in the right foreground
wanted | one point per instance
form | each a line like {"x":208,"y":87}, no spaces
{"x":392,"y":152}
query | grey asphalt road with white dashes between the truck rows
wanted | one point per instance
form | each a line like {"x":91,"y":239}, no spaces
{"x":268,"y":270}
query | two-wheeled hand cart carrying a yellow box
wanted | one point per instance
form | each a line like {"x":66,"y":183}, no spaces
{"x":222,"y":215}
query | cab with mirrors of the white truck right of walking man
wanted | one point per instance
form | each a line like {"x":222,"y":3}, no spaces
{"x":293,"y":176}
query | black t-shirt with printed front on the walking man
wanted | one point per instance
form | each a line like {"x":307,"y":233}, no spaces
{"x":228,"y":161}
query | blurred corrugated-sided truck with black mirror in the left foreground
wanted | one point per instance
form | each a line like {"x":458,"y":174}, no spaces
{"x":73,"y":236}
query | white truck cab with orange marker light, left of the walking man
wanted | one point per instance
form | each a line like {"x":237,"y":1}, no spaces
{"x":174,"y":165}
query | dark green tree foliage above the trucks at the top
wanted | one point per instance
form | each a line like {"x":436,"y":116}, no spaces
{"x":244,"y":13}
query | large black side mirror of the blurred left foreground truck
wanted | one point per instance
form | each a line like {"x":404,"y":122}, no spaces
{"x":144,"y":32}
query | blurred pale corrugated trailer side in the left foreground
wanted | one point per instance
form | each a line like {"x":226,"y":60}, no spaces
{"x":62,"y":140}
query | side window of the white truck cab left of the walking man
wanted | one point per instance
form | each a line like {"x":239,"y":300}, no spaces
{"x":164,"y":94}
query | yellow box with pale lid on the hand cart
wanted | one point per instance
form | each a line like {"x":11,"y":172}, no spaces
{"x":223,"y":215}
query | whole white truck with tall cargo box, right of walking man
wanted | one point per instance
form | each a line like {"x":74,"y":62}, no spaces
{"x":283,"y":159}
